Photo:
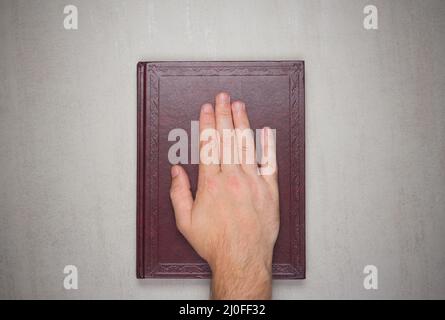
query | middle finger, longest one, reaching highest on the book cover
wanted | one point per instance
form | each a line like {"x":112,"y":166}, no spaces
{"x":224,"y":126}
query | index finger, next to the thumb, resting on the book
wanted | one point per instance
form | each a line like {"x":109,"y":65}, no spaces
{"x":209,"y":146}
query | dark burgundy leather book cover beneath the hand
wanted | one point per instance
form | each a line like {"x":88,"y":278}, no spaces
{"x":169,"y":96}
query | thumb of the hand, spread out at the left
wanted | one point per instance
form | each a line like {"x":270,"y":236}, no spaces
{"x":181,"y":197}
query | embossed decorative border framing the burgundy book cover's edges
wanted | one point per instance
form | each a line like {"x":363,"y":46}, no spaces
{"x":149,"y":75}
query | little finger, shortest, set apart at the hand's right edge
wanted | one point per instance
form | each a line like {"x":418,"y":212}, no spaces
{"x":268,"y":162}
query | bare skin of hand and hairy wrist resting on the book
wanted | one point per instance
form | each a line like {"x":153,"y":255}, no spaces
{"x":233,"y":221}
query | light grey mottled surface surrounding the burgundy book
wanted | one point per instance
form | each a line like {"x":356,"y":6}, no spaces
{"x":375,"y":139}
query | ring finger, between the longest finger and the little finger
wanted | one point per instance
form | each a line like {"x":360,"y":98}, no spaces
{"x":244,"y":137}
